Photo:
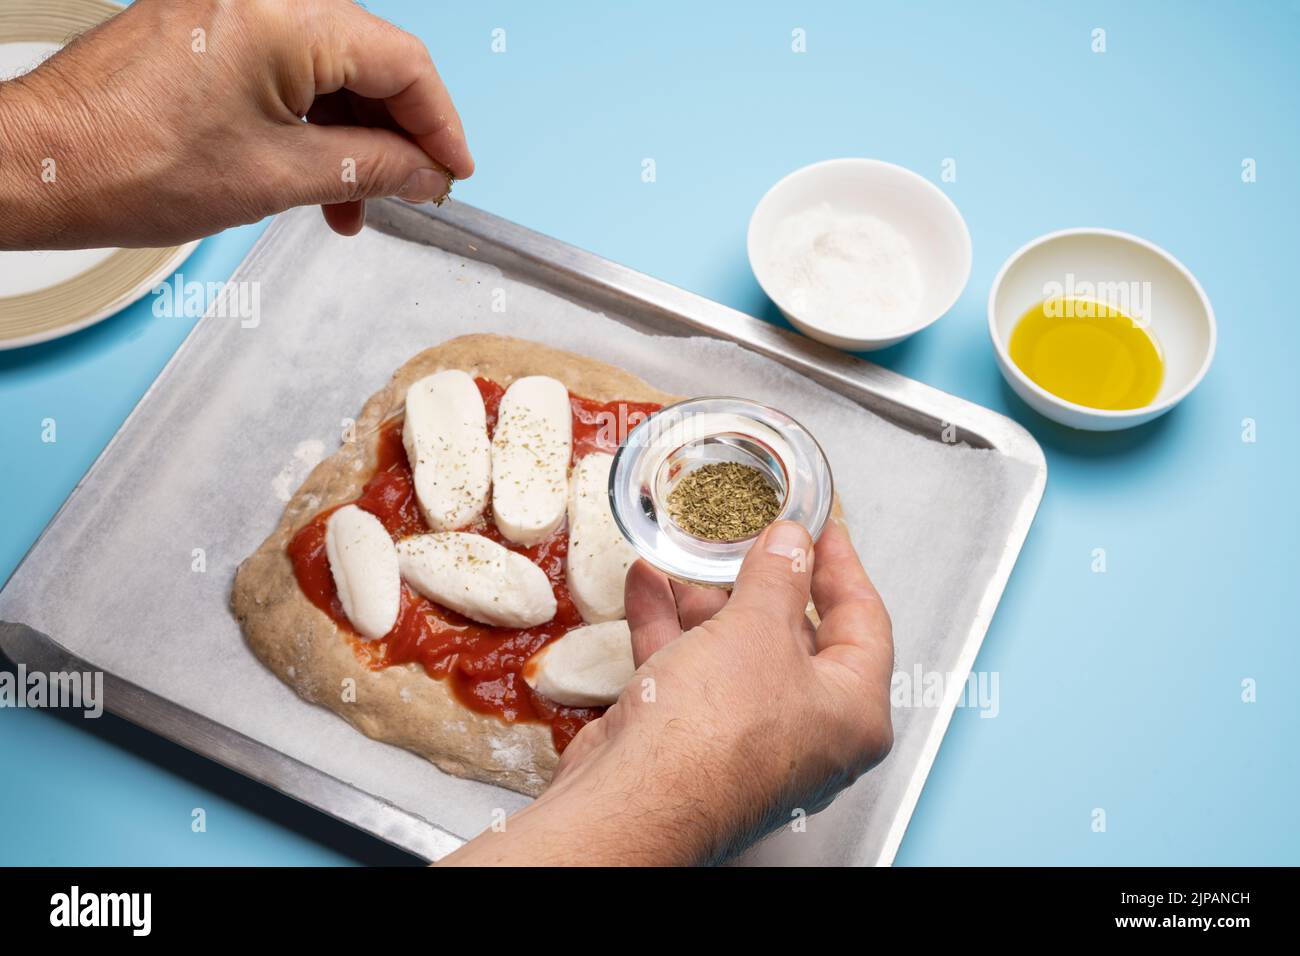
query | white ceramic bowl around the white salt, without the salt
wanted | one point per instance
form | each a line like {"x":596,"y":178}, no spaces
{"x":908,"y":202}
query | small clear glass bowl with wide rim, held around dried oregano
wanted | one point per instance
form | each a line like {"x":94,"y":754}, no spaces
{"x":679,"y":439}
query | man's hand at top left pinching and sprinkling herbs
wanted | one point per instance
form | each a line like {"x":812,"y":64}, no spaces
{"x":177,"y":119}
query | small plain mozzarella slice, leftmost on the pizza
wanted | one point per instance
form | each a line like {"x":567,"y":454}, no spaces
{"x":365,"y":565}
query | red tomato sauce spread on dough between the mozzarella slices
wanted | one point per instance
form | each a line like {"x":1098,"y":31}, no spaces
{"x":482,"y":663}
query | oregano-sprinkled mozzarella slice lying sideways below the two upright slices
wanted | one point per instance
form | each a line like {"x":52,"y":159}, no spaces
{"x":478,"y":578}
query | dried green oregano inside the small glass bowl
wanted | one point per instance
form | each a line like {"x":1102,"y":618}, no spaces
{"x":723,"y":503}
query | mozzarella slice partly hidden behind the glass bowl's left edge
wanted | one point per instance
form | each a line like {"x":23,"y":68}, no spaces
{"x":599,"y":555}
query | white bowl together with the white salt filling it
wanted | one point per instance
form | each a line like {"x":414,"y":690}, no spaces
{"x":860,"y":254}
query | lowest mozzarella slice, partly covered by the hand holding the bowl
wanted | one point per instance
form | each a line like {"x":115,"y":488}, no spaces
{"x":587,"y":668}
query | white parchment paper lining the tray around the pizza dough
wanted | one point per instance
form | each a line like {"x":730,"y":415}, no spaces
{"x":233,"y":426}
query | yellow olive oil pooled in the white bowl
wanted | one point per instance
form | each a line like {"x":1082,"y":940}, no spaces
{"x":1089,"y":353}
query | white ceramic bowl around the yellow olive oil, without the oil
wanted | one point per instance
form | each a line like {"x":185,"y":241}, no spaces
{"x":1119,"y":265}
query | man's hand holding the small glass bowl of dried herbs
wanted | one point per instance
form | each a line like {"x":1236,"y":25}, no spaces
{"x":740,"y":713}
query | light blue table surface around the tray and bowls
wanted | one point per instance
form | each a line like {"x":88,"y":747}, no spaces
{"x":1121,"y":691}
